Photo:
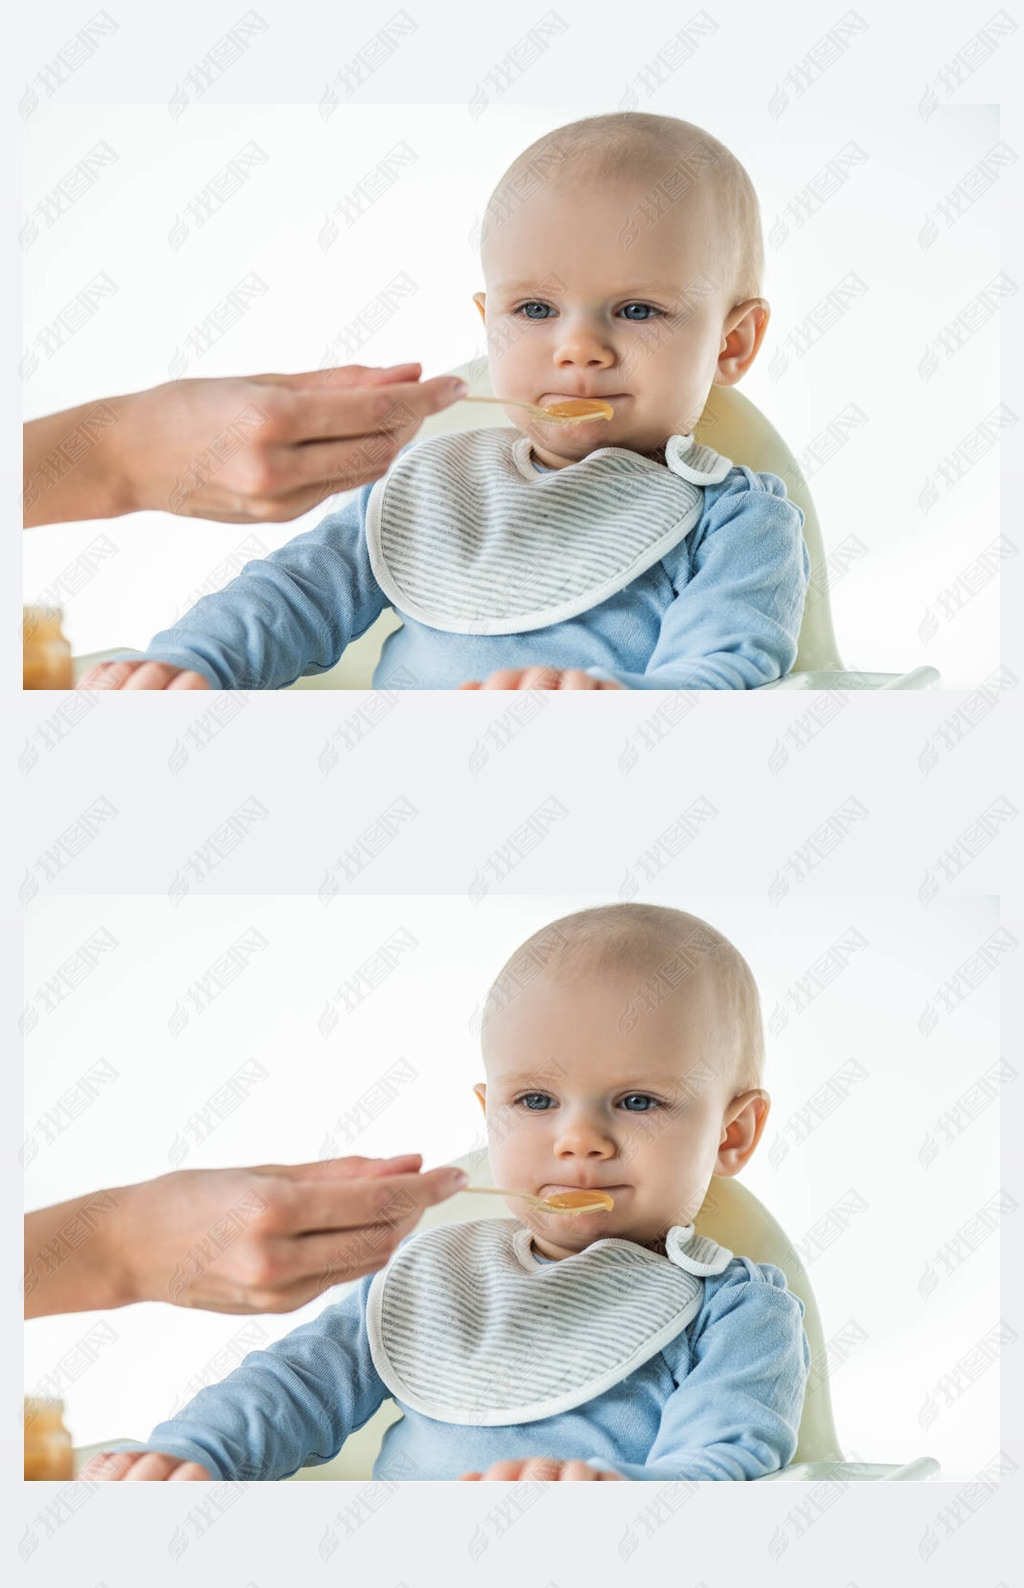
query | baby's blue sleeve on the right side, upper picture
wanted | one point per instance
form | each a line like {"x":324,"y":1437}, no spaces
{"x":736,"y":620}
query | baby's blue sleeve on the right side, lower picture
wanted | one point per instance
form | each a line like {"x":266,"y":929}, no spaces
{"x":736,"y":1414}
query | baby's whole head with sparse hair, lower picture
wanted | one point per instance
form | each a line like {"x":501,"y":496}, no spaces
{"x":623,"y":1050}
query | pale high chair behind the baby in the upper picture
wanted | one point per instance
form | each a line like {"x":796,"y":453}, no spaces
{"x":734,"y":428}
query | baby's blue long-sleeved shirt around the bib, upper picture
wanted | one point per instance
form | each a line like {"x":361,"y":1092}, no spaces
{"x":720,"y":612}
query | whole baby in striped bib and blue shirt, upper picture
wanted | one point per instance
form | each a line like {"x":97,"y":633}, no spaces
{"x":623,"y":261}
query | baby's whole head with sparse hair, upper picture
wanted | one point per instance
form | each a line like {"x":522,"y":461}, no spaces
{"x":623,"y":260}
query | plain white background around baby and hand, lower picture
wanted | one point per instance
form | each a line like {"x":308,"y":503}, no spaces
{"x":172,"y":1055}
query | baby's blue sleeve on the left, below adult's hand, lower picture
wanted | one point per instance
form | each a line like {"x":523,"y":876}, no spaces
{"x":287,"y":1408}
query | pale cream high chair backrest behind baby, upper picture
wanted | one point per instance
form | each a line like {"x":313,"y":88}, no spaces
{"x":736,"y":428}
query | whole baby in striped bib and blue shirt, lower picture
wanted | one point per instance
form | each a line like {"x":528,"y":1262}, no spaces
{"x":623,"y":1052}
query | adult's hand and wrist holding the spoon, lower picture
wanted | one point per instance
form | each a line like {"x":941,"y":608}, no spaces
{"x":234,"y":1241}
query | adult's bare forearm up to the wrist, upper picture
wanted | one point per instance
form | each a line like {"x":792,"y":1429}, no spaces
{"x":74,"y":464}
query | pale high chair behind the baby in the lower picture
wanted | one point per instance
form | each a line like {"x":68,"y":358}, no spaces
{"x":734,"y":1219}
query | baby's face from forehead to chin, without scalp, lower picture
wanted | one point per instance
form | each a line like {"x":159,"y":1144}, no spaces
{"x":576,"y":1103}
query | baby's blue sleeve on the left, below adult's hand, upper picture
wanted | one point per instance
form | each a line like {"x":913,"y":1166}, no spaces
{"x":287,"y":615}
